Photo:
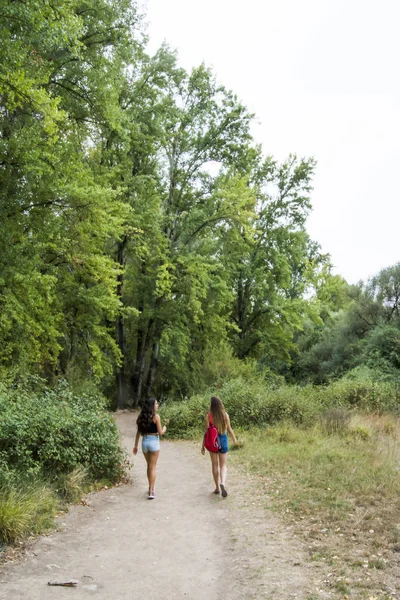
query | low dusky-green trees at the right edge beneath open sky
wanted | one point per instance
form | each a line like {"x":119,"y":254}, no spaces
{"x":362,"y":332}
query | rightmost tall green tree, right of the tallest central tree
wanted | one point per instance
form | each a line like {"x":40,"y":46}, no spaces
{"x":272,"y":261}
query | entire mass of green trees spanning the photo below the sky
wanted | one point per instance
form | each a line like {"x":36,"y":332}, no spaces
{"x":142,"y":228}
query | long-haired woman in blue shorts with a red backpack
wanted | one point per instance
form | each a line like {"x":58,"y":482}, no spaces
{"x":218,"y":415}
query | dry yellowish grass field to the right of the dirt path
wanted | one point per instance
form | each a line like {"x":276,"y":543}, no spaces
{"x":340,"y":491}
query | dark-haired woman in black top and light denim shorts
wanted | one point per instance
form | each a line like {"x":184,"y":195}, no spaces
{"x":149,"y":427}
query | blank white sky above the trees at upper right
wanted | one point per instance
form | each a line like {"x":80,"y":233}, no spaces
{"x":322,"y":77}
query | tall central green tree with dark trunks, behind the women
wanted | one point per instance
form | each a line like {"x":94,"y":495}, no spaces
{"x":197,"y":125}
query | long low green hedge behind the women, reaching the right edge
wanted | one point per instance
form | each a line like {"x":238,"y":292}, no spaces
{"x":254,"y":403}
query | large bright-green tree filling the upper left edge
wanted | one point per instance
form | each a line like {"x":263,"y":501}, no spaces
{"x":57,"y":287}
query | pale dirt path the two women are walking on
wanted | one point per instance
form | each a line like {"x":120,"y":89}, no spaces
{"x":187,"y":543}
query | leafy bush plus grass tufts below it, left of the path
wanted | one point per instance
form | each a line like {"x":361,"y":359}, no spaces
{"x":51,"y":443}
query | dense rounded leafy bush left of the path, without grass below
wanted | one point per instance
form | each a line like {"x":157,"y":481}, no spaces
{"x":54,"y":431}
